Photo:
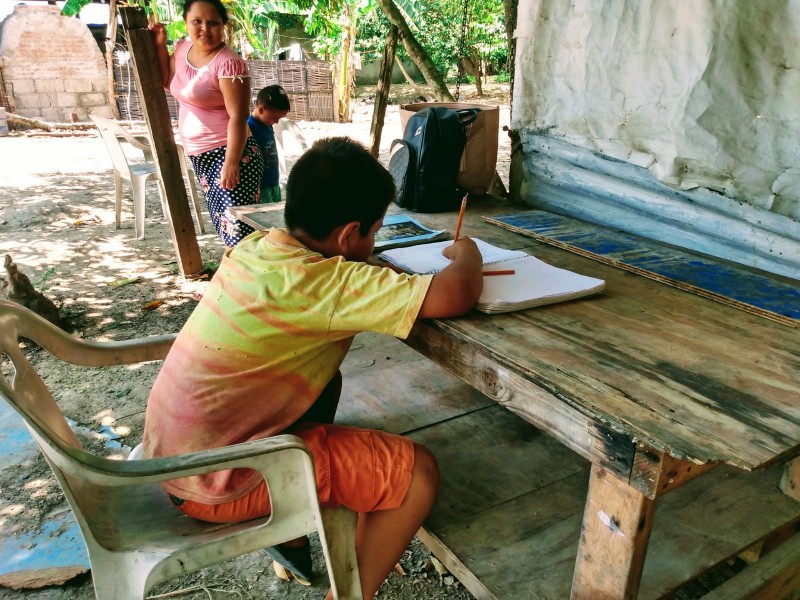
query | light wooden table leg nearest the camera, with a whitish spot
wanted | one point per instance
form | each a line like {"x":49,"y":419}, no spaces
{"x":613,"y":544}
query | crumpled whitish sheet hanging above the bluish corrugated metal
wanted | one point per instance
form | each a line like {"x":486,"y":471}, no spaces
{"x":704,"y":95}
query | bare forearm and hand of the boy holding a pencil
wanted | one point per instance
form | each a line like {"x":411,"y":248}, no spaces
{"x":455,"y":289}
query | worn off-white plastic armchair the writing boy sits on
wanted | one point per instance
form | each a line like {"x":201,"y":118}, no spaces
{"x":134,"y":535}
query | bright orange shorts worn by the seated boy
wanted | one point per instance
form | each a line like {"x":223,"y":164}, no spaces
{"x":362,"y":469}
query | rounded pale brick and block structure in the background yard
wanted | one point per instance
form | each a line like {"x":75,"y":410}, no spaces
{"x":52,"y":65}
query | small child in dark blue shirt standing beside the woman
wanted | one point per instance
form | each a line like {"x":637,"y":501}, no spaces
{"x":272,"y":104}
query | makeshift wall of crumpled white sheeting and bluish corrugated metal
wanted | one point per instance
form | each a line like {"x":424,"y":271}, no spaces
{"x":676,"y":111}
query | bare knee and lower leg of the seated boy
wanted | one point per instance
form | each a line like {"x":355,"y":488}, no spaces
{"x":382,"y":536}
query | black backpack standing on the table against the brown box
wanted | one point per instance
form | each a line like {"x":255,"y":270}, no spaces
{"x":425,"y":163}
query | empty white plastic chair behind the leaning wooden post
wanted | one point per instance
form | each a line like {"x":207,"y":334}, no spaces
{"x":139,"y":173}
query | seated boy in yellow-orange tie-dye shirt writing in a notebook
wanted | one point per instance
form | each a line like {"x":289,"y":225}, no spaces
{"x":260,"y":356}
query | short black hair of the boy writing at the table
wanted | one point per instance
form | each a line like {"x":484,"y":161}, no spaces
{"x":336,"y":181}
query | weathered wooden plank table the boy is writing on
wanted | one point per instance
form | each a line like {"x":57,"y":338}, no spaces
{"x":653,"y":385}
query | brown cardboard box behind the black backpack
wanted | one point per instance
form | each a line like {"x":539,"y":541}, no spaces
{"x":479,"y":161}
